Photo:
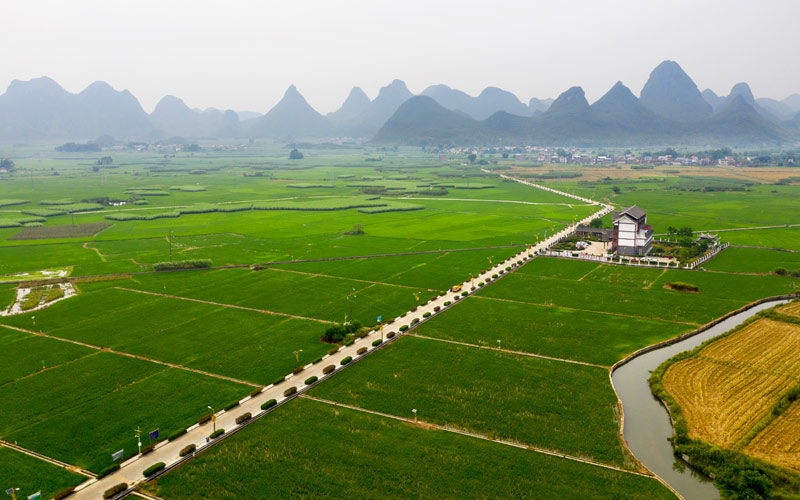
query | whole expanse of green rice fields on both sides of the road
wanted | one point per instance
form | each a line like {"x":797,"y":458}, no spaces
{"x":245,"y":324}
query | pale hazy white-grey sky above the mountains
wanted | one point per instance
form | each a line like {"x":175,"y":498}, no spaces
{"x":243,"y":54}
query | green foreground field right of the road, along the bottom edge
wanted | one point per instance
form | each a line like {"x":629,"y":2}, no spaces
{"x":276,"y":454}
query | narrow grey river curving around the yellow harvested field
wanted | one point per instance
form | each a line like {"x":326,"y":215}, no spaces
{"x":647,"y":423}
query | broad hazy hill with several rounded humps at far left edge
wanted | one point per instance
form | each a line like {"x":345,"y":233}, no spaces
{"x":40,"y":109}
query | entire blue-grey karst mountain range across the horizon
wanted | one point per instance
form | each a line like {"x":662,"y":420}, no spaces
{"x":670,"y":109}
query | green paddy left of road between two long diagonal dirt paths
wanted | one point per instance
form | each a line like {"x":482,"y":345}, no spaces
{"x":243,"y":344}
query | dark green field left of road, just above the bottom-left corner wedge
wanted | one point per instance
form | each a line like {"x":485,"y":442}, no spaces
{"x":99,"y":399}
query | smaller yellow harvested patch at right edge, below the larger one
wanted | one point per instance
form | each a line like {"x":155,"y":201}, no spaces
{"x":779,"y":443}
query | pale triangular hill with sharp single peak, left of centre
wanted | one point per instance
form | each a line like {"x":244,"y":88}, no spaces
{"x":291,"y":117}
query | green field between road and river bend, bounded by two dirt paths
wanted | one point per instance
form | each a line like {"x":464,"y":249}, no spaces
{"x":544,"y":403}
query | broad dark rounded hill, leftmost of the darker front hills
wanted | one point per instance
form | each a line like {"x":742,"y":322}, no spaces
{"x":421,"y":120}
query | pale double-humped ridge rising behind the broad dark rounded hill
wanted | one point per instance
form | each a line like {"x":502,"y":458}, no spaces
{"x":490,"y":101}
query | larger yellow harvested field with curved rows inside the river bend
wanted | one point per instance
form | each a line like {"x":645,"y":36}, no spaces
{"x":734,"y":382}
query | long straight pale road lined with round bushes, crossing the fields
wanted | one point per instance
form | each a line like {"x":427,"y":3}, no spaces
{"x":168,"y":451}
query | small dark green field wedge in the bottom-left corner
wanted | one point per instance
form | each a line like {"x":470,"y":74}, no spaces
{"x":31,"y":474}
